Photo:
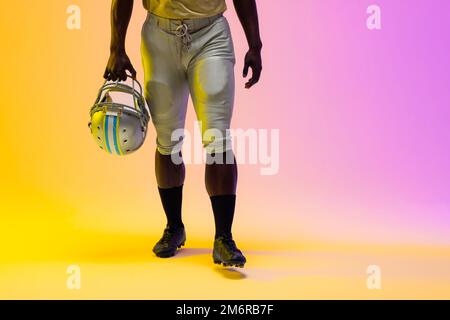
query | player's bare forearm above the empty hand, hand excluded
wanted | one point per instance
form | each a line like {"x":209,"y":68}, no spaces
{"x":248,"y":15}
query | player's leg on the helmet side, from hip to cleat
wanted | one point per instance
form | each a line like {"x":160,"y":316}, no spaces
{"x":167,"y":95}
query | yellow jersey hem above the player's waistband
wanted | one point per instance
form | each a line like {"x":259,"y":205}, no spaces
{"x":185,"y":9}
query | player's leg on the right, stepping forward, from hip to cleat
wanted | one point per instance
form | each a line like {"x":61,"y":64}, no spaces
{"x":212,"y":87}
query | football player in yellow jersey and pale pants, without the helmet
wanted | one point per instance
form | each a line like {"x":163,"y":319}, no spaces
{"x":187,"y":49}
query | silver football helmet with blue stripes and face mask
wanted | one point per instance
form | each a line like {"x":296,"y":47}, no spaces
{"x":119,"y":127}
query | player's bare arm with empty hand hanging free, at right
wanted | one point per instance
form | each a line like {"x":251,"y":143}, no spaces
{"x":248,"y":15}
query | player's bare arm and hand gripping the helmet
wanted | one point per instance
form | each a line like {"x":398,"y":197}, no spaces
{"x":119,"y":62}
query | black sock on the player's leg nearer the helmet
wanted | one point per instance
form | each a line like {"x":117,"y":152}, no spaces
{"x":171,"y":199}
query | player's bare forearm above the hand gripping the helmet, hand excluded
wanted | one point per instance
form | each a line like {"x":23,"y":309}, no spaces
{"x":120,"y":18}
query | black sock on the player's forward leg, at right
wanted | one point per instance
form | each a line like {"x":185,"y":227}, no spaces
{"x":223,"y":208}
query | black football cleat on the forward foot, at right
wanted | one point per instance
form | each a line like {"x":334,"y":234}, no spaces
{"x":226,"y":253}
